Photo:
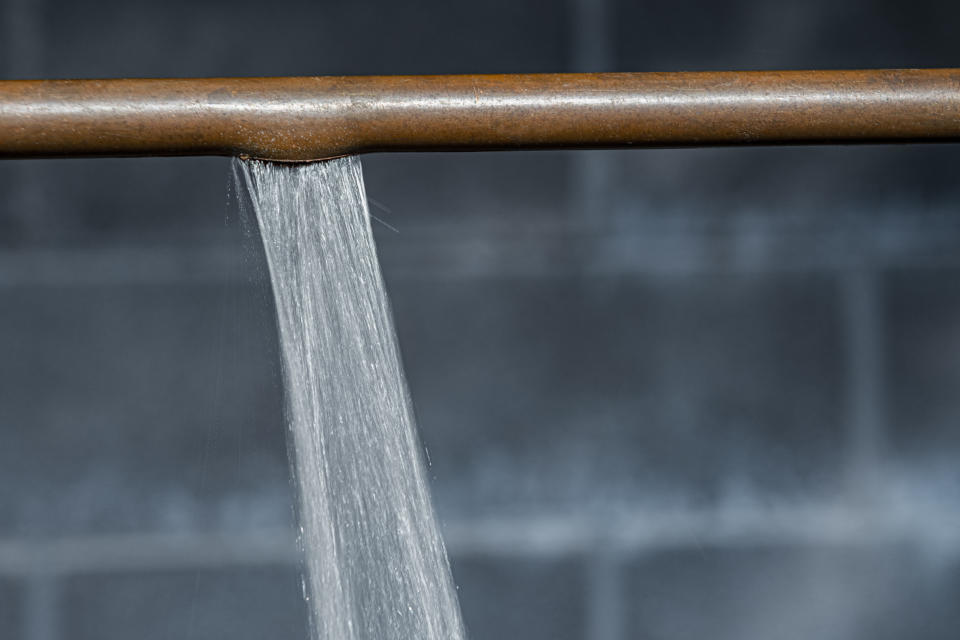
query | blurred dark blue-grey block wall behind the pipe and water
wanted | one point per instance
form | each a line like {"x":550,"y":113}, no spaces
{"x":671,"y":394}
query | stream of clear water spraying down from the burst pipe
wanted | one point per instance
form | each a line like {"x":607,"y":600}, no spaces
{"x":375,"y":562}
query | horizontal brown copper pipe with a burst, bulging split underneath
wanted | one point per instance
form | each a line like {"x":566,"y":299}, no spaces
{"x":298,"y":119}
